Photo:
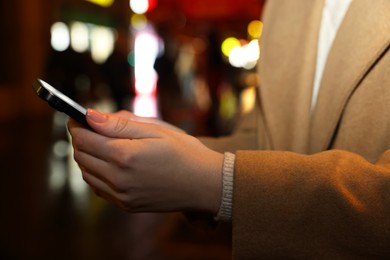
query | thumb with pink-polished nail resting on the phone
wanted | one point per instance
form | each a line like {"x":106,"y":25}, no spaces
{"x":114,"y":126}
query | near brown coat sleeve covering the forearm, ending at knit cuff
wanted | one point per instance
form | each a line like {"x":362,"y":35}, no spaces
{"x":333,"y":204}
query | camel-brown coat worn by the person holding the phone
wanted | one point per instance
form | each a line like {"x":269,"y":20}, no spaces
{"x":316,"y":185}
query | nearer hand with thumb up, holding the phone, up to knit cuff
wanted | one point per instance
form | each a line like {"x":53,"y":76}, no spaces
{"x":143,"y":166}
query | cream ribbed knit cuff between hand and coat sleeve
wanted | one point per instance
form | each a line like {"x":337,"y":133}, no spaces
{"x":225,"y":209}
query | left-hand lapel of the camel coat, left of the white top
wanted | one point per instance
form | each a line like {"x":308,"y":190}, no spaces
{"x":290,"y":46}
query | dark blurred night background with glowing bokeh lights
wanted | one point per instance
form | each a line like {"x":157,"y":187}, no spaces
{"x":191,"y":63}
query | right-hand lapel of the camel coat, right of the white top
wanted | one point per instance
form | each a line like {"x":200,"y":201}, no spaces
{"x":362,"y":38}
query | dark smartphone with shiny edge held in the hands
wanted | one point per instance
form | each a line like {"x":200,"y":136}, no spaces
{"x":60,"y":102}
